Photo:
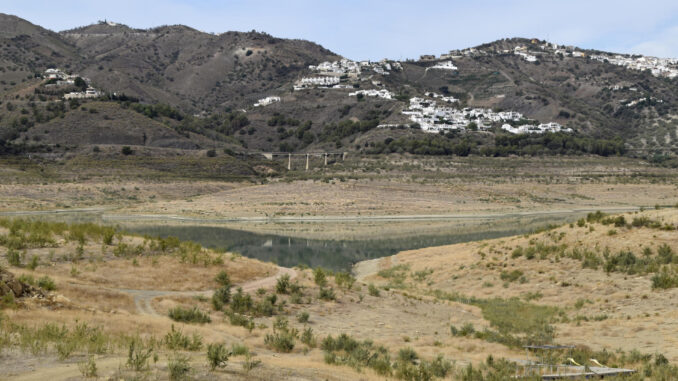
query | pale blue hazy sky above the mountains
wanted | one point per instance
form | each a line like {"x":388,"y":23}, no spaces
{"x":375,"y":29}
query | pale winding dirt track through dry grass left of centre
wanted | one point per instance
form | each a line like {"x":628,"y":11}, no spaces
{"x":143,"y":298}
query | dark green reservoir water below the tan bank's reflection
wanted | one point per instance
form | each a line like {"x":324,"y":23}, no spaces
{"x":341,"y":254}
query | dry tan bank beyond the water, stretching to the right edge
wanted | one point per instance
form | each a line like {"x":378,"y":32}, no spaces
{"x":369,"y":199}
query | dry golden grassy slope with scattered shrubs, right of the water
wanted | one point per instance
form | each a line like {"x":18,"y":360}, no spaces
{"x":637,"y":317}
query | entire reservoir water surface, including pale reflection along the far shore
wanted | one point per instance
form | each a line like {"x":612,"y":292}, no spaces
{"x":281,"y":245}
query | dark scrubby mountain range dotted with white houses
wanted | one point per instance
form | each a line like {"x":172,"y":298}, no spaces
{"x":197,"y":90}
